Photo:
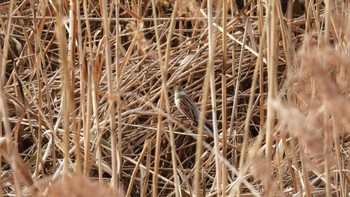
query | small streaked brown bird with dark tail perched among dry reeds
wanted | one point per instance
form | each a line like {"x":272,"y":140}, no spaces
{"x":188,"y":108}
